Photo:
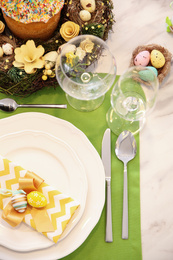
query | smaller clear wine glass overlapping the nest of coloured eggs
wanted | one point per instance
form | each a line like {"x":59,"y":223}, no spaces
{"x":132,"y":99}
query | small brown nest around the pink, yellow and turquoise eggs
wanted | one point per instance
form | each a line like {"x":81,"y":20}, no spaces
{"x":162,"y":72}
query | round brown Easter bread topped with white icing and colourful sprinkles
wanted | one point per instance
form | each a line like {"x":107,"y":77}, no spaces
{"x":32,"y":19}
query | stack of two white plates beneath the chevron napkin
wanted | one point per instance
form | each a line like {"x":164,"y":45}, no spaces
{"x":63,"y":156}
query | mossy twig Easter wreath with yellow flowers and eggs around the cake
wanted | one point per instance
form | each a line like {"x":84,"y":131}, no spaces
{"x":27,"y":66}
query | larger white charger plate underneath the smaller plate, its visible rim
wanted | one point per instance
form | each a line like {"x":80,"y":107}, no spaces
{"x":95,"y":177}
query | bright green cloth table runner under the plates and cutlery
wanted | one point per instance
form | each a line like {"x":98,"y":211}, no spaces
{"x":93,"y":124}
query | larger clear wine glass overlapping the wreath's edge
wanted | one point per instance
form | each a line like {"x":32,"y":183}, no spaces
{"x":85,"y":70}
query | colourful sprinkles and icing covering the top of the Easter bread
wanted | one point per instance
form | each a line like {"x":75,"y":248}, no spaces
{"x":27,"y":11}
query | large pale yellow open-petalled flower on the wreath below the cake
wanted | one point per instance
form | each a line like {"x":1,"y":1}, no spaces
{"x":29,"y":57}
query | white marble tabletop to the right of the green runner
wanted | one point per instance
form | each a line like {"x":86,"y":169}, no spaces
{"x":142,"y":22}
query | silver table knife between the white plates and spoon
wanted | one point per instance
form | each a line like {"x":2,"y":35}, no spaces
{"x":106,"y":158}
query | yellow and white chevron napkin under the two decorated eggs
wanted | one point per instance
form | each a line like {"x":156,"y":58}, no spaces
{"x":59,"y":208}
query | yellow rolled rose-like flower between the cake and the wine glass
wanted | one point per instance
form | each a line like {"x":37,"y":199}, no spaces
{"x":69,"y":30}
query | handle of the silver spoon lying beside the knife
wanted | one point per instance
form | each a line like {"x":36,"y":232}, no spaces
{"x":125,"y":206}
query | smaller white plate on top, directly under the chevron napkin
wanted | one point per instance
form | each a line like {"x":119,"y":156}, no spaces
{"x":56,"y":162}
